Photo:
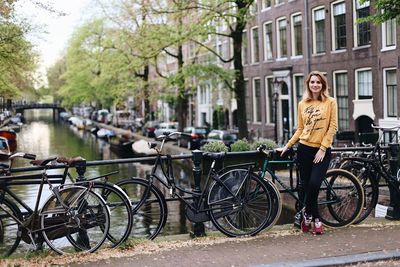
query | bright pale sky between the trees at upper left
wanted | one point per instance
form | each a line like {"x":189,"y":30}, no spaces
{"x":51,"y":37}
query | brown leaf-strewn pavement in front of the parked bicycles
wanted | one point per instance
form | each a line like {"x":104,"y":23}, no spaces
{"x":280,"y":246}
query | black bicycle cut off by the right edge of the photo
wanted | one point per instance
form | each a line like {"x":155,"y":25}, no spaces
{"x":369,"y":170}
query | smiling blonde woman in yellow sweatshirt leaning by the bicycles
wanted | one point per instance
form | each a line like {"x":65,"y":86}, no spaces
{"x":317,"y":125}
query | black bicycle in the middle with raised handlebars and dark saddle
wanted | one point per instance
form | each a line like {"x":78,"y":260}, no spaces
{"x":237,"y":202}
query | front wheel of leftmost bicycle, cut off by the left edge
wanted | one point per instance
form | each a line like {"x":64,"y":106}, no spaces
{"x":9,"y":227}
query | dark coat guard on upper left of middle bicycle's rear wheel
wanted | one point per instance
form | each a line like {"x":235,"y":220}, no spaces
{"x":231,"y":182}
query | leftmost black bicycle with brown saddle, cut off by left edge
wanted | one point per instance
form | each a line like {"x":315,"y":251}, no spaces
{"x":72,"y":218}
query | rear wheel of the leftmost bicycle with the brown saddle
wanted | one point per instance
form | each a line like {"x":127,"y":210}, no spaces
{"x":80,"y":222}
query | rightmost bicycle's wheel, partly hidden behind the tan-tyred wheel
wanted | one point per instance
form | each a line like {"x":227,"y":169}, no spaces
{"x":370,"y":184}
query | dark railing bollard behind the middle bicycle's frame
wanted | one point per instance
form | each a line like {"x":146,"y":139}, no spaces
{"x":198,"y":228}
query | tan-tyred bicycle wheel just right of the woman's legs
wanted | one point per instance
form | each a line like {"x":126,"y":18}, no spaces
{"x":340,"y":198}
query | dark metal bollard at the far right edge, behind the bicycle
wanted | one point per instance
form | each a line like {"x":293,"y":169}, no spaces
{"x":393,"y":212}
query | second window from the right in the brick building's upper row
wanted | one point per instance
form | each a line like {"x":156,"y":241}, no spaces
{"x":362,"y":30}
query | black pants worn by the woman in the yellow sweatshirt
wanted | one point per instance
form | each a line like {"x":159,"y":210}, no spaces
{"x":311,"y":176}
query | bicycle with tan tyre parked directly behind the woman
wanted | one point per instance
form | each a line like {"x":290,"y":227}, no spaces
{"x":340,"y":197}
